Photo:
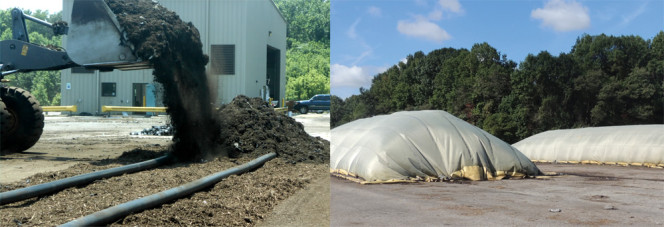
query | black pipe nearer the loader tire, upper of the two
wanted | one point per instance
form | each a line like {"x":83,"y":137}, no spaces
{"x":54,"y":186}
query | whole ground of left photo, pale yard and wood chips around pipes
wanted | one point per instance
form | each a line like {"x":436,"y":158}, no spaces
{"x":76,"y":145}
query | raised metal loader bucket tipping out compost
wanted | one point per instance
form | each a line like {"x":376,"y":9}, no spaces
{"x":96,"y":40}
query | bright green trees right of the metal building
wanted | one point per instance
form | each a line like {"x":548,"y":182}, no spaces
{"x":308,"y":47}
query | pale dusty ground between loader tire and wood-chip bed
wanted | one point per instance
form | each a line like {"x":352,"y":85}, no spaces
{"x":67,"y":141}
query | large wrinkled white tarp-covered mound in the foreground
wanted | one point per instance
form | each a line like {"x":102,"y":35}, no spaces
{"x":423,"y":144}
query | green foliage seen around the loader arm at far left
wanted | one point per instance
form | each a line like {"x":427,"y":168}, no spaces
{"x":44,"y":85}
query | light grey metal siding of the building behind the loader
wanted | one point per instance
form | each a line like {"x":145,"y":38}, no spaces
{"x":242,"y":23}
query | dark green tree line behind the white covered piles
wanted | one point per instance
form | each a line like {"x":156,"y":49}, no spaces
{"x":604,"y":80}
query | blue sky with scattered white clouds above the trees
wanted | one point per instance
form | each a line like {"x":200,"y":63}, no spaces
{"x":367,"y":37}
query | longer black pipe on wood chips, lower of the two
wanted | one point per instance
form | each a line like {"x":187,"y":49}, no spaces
{"x":116,"y":212}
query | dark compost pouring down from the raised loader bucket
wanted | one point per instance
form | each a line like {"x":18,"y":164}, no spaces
{"x":175,"y":51}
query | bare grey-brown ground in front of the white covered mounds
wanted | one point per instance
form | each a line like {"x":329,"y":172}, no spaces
{"x":584,"y":195}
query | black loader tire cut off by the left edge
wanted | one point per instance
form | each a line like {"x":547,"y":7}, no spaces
{"x":21,"y":120}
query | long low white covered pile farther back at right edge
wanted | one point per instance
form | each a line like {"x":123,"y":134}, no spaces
{"x":632,"y":144}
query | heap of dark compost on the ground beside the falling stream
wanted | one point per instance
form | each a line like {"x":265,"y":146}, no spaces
{"x":251,"y":127}
